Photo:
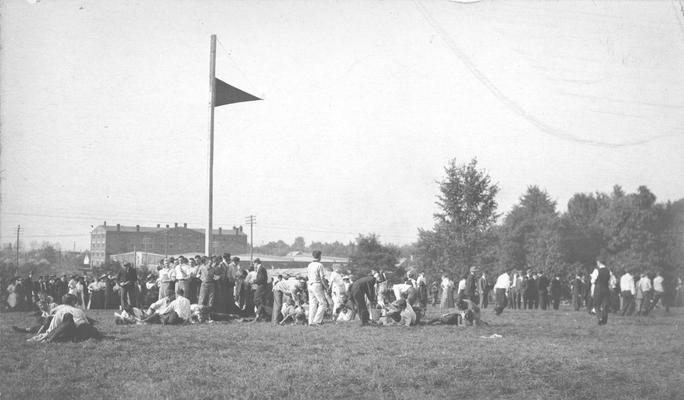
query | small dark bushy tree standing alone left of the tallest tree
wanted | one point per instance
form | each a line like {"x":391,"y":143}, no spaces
{"x":371,"y":254}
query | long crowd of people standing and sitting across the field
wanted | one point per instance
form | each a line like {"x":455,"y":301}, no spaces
{"x":207,"y":289}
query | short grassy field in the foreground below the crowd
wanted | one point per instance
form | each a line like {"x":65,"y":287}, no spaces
{"x":542,"y":355}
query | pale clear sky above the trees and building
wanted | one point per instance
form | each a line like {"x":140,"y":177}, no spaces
{"x":104,"y":110}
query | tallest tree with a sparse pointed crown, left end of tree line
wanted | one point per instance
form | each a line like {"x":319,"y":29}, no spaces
{"x":462,"y":232}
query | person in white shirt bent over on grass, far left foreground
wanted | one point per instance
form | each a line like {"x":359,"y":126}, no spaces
{"x":68,"y":323}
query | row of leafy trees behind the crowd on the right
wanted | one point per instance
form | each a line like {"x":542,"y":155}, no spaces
{"x":629,"y":231}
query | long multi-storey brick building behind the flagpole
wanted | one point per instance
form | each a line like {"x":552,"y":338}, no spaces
{"x":106,"y":240}
